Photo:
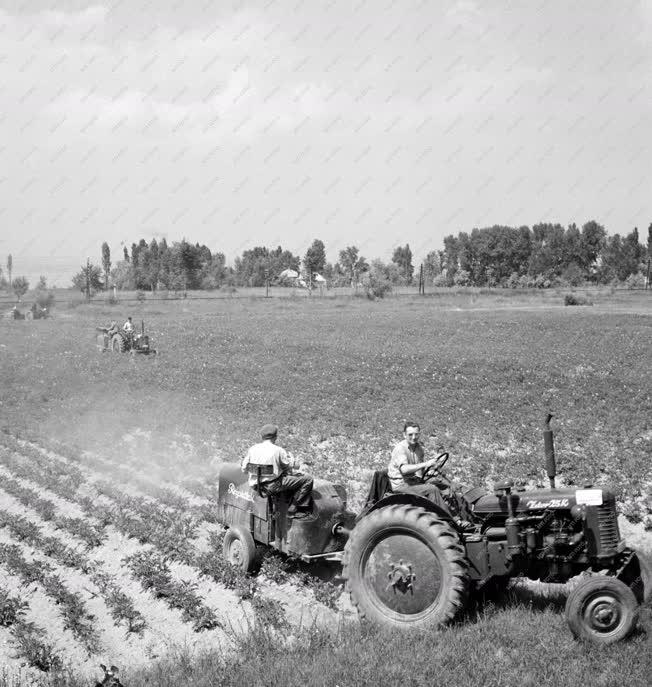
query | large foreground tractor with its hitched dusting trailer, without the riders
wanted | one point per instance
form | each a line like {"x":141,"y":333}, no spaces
{"x":409,"y":563}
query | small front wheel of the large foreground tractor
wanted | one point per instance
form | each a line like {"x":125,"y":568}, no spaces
{"x":602,"y":610}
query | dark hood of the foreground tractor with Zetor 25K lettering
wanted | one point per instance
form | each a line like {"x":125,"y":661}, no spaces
{"x":543,"y":499}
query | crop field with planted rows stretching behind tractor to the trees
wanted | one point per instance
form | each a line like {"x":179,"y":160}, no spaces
{"x":107,"y":536}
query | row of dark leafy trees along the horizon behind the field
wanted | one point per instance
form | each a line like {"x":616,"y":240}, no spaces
{"x":498,"y":256}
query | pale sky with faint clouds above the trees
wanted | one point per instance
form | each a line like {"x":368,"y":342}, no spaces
{"x":368,"y":122}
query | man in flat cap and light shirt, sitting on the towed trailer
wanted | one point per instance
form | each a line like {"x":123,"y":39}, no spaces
{"x":275,"y":472}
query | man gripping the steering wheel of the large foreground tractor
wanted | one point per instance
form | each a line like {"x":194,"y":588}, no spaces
{"x":406,"y":469}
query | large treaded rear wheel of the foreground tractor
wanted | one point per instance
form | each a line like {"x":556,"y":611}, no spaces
{"x":404,"y":567}
